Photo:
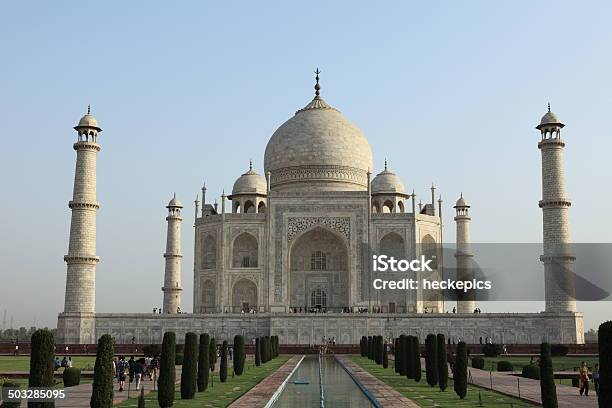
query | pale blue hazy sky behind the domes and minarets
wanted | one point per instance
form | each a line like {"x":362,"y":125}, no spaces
{"x":448,"y":92}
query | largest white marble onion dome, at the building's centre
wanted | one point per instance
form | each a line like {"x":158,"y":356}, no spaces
{"x":318,"y":149}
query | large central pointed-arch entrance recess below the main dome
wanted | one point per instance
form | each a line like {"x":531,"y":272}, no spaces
{"x":319,"y":272}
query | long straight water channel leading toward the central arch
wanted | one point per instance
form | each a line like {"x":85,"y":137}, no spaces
{"x":328,"y":385}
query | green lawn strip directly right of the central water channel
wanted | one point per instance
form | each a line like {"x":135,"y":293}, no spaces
{"x":425,"y":396}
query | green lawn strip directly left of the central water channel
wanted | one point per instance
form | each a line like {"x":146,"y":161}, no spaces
{"x":219,"y":395}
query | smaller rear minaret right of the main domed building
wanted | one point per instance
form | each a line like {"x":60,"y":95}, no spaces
{"x":463,"y":255}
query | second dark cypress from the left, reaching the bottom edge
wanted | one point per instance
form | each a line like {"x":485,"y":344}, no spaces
{"x":102,"y":389}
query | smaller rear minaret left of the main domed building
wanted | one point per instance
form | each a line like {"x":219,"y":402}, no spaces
{"x":172,"y":278}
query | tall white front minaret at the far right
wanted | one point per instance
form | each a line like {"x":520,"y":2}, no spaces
{"x":557,"y":258}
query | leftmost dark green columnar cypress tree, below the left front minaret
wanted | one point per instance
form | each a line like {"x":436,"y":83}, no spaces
{"x":41,"y":364}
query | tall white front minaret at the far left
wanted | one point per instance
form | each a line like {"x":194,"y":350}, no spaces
{"x":81,"y":260}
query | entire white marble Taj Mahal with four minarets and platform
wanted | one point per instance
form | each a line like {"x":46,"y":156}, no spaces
{"x":289,"y":251}
